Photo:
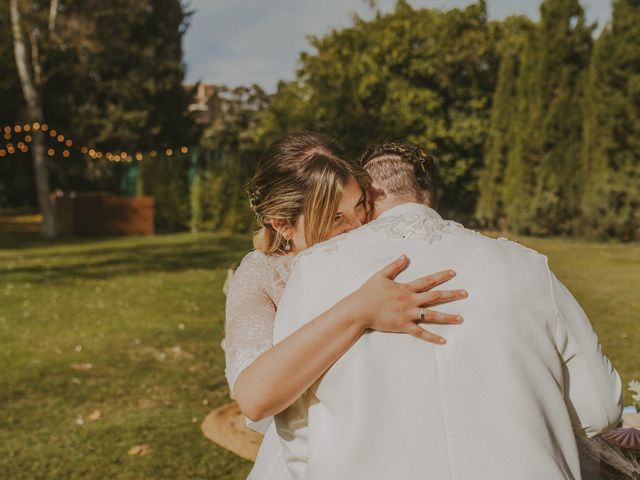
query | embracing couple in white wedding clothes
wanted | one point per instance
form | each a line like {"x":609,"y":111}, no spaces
{"x":331,"y":330}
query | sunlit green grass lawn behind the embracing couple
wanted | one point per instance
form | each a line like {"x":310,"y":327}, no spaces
{"x":112,"y":343}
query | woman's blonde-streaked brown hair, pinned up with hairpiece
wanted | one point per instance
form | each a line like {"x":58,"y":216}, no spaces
{"x":302,"y":173}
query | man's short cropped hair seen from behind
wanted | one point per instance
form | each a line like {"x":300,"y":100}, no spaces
{"x":403,"y":169}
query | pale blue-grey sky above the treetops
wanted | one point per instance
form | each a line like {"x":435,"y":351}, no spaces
{"x":240,"y":42}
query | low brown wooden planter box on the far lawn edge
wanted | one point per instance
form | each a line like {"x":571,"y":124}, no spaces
{"x":101,"y":214}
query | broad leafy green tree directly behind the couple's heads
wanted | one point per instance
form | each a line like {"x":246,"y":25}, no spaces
{"x":422,"y":75}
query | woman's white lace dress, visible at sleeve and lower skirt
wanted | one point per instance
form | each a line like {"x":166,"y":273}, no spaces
{"x":252,"y":299}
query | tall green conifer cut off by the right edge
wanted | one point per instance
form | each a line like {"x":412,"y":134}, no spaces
{"x":611,"y":153}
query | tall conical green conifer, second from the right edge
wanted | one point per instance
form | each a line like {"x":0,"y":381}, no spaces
{"x":542,"y":193}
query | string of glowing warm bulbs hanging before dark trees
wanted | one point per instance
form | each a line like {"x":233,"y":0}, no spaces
{"x":67,"y":143}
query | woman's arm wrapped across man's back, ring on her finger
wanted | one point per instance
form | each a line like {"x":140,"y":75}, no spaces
{"x":270,"y":381}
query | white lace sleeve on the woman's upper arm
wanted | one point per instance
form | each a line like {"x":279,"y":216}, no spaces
{"x":250,"y":313}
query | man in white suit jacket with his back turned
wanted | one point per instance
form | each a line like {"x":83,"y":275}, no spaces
{"x":500,"y":401}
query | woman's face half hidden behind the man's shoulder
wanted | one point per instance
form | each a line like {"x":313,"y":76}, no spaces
{"x":351,"y":214}
